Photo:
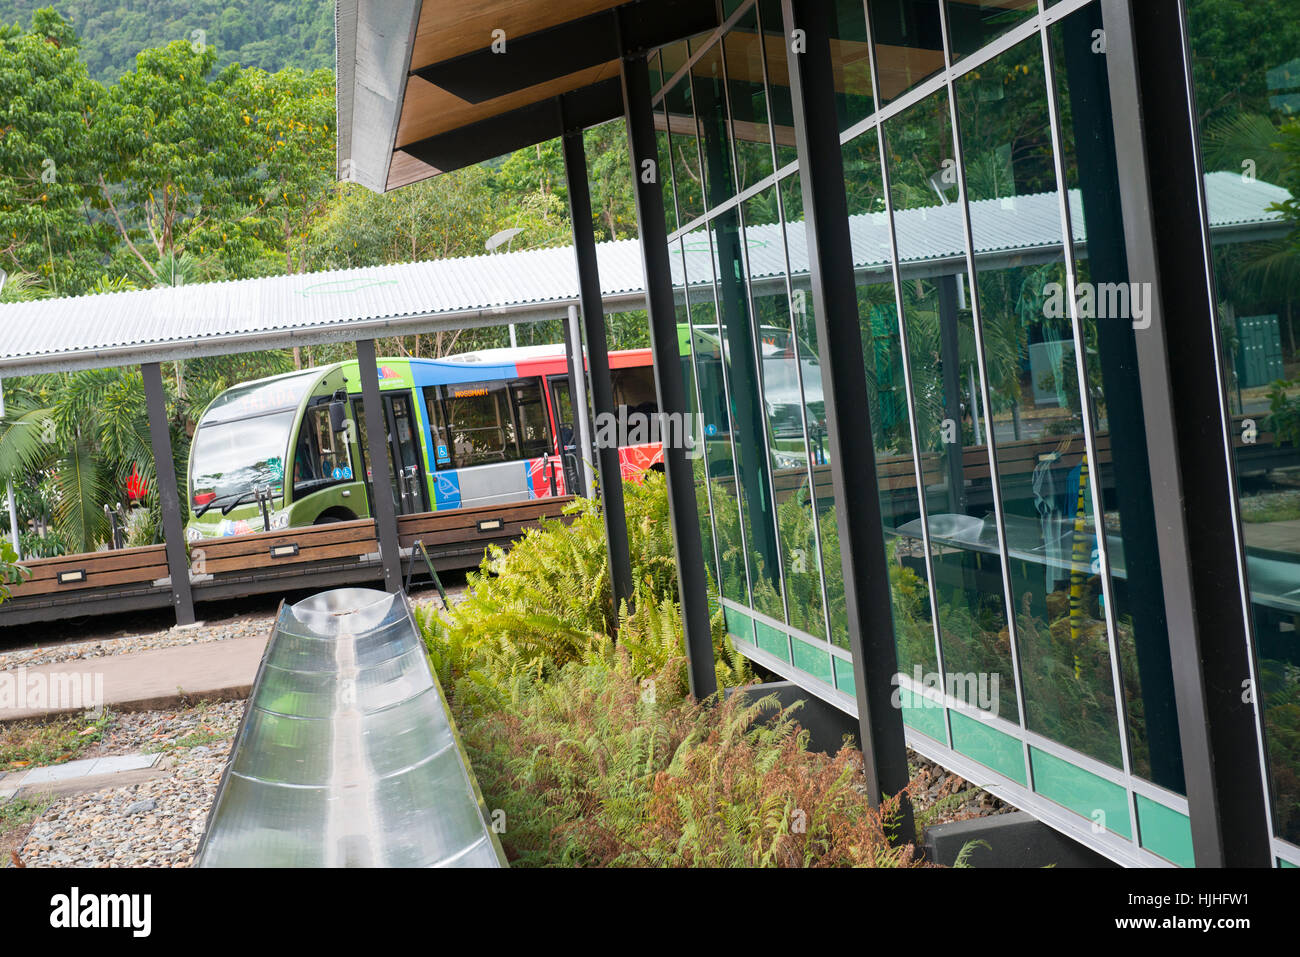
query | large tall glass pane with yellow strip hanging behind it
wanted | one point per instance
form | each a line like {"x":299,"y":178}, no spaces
{"x":1045,"y":474}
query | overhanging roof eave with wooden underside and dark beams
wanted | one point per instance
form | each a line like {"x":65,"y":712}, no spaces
{"x":430,"y":88}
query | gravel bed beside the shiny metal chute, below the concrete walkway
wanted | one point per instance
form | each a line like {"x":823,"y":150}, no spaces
{"x":157,"y":824}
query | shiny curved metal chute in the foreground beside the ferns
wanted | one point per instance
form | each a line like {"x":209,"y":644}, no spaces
{"x":348,"y":755}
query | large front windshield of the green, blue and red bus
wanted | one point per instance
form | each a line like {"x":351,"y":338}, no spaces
{"x":236,"y":457}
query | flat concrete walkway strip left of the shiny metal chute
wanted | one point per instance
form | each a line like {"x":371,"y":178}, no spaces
{"x":141,"y":682}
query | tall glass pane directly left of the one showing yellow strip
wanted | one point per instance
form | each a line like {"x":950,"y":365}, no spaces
{"x":951,"y":421}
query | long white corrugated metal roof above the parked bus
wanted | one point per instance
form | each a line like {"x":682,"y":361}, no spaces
{"x":309,"y":309}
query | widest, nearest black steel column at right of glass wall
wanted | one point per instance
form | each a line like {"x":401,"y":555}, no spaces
{"x":1182,"y":384}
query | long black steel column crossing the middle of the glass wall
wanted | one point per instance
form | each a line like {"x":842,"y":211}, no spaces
{"x":848,"y":417}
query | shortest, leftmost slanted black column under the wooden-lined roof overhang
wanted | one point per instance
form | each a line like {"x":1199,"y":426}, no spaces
{"x":610,"y":473}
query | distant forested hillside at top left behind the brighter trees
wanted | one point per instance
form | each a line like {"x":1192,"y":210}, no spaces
{"x":268,"y":34}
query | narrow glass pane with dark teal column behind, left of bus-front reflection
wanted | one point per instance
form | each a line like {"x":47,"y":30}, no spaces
{"x":744,"y":392}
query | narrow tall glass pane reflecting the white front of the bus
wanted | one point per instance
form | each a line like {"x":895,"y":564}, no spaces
{"x":785,"y":369}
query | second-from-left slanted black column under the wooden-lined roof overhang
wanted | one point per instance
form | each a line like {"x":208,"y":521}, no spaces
{"x":692,"y":582}
